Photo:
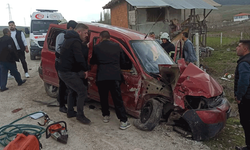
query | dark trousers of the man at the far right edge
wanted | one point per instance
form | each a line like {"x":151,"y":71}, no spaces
{"x":244,"y":112}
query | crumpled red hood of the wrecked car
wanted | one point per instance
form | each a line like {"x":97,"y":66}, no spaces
{"x":193,"y":82}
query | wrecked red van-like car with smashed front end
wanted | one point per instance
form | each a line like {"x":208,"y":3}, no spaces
{"x":156,"y":87}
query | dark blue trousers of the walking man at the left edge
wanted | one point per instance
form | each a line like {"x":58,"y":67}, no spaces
{"x":5,"y":67}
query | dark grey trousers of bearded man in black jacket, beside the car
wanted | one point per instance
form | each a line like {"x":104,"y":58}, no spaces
{"x":74,"y":83}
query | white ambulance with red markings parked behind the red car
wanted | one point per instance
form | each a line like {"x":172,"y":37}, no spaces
{"x":40,"y":21}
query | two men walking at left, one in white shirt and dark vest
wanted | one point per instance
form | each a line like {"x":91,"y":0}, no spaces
{"x":13,"y":46}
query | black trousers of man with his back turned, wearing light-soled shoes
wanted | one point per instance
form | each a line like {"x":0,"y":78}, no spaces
{"x":112,"y":86}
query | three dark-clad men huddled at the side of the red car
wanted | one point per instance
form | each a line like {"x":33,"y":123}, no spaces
{"x":72,"y":67}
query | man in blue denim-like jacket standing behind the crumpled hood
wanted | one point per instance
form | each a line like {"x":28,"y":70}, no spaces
{"x":188,"y":49}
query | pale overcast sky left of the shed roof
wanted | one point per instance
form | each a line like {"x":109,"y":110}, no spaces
{"x":78,"y":10}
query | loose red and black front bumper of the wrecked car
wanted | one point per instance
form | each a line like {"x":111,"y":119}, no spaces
{"x":206,"y":124}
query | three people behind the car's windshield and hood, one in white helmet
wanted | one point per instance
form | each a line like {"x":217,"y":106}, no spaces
{"x":188,"y":48}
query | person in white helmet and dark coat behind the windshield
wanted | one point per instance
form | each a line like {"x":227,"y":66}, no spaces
{"x":167,"y":45}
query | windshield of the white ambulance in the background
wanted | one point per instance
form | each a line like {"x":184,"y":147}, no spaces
{"x":41,"y":26}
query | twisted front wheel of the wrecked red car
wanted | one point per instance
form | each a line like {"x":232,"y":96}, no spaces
{"x":150,"y":115}
